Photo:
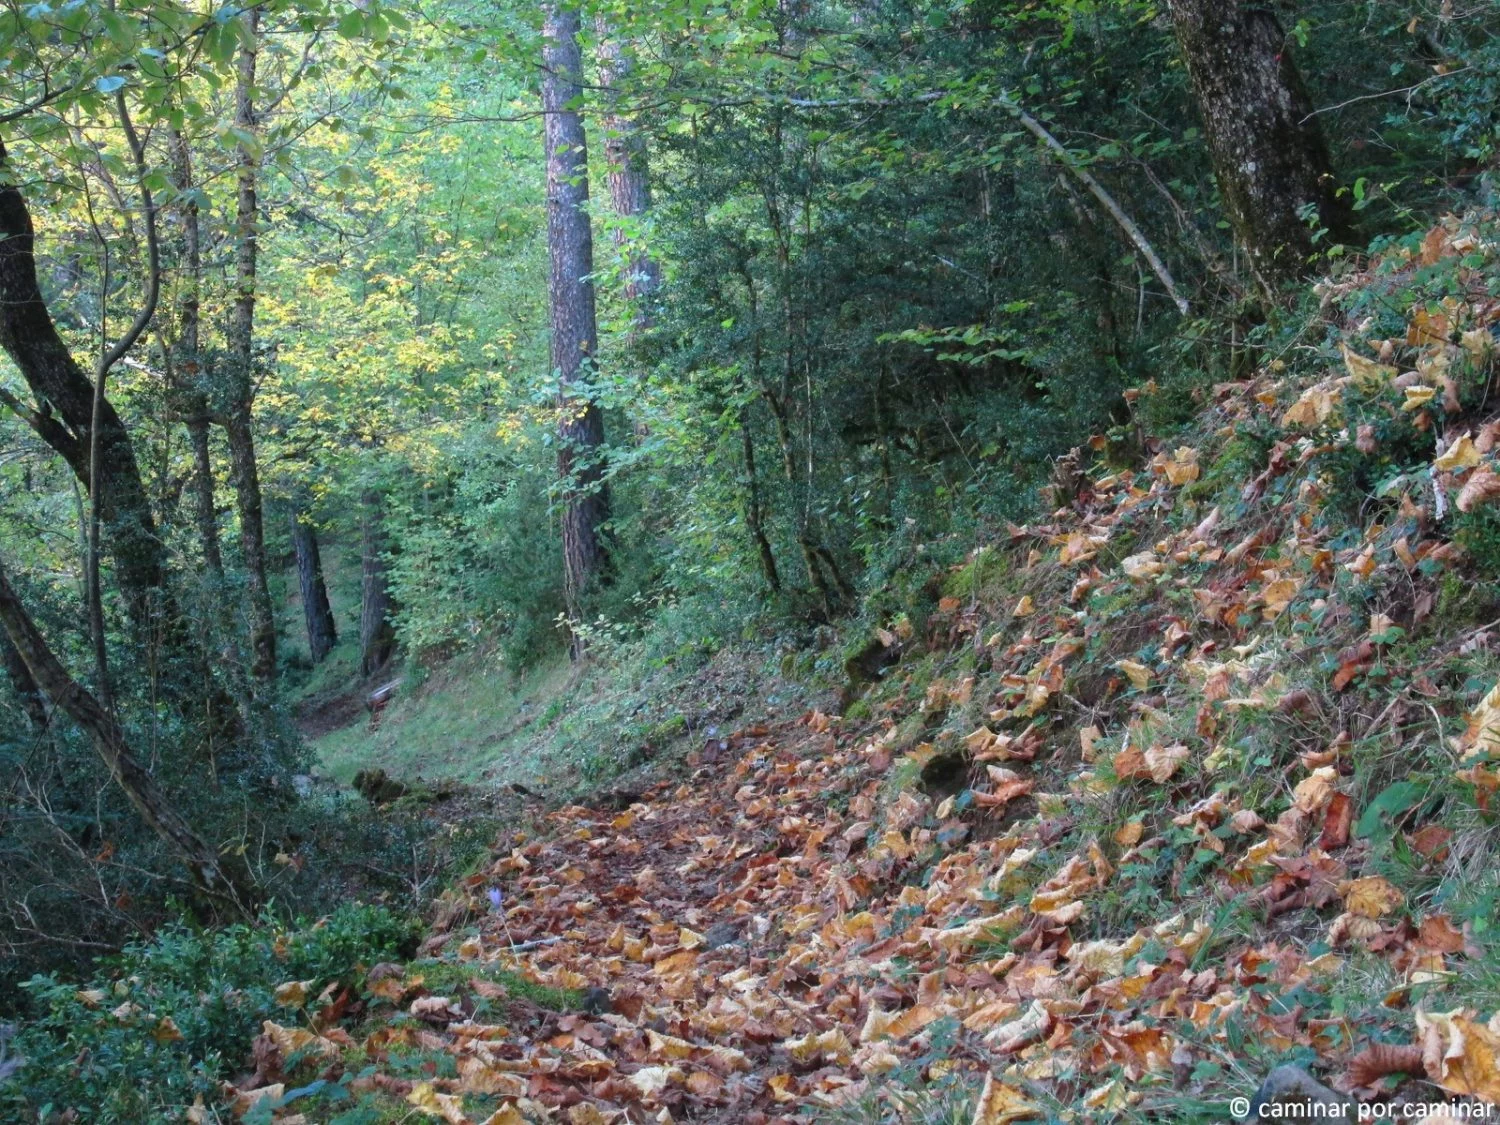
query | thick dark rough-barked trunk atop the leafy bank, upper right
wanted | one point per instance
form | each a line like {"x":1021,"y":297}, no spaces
{"x":1270,"y":155}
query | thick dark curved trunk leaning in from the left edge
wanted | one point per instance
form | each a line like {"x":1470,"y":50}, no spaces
{"x":65,"y":415}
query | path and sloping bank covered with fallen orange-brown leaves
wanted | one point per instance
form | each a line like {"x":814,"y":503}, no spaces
{"x":1192,"y":779}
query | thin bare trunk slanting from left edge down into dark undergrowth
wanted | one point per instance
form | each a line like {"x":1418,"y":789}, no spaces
{"x":110,"y":742}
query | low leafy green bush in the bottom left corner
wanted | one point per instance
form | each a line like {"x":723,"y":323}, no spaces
{"x":178,"y":1015}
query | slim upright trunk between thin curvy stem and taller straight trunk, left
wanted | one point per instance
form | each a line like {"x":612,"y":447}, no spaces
{"x":188,"y":374}
